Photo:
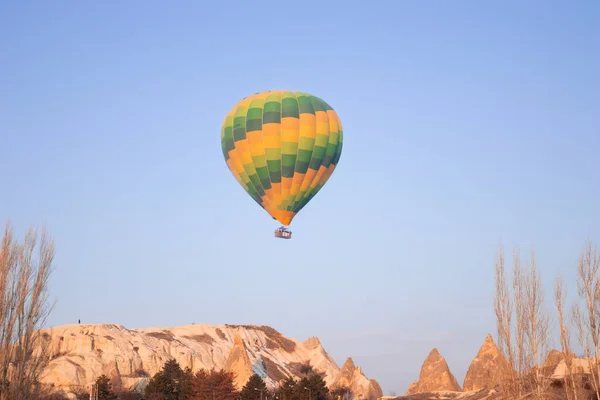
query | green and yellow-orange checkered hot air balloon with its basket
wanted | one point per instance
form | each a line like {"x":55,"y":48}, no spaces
{"x":282,"y":147}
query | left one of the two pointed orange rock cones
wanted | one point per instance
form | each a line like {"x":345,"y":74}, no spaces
{"x":435,"y":376}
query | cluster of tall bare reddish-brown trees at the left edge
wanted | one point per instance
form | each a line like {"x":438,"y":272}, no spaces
{"x":24,"y":275}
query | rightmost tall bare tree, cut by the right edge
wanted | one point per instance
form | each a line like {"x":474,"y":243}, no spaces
{"x":588,"y":287}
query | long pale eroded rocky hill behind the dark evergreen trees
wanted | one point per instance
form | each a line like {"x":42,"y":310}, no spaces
{"x":81,"y":353}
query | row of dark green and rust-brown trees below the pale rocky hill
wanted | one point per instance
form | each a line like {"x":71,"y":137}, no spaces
{"x":174,"y":383}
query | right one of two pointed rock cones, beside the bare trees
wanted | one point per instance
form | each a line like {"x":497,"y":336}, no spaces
{"x":488,"y":367}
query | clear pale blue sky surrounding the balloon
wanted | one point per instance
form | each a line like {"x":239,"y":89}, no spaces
{"x":466,"y":124}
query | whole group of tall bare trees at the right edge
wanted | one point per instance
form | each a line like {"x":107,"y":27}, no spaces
{"x":525,"y":320}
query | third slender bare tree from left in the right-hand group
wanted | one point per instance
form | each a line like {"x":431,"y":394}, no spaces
{"x":536,"y":329}
